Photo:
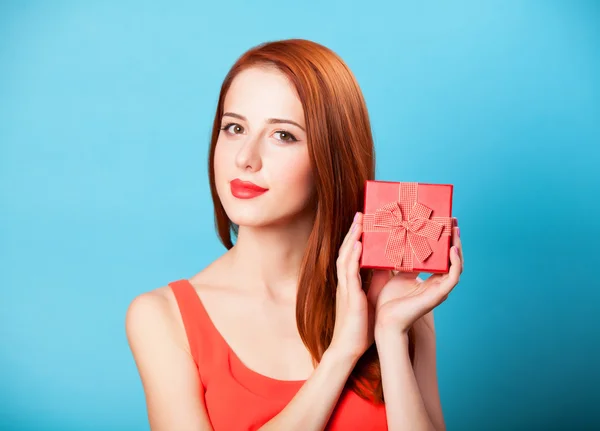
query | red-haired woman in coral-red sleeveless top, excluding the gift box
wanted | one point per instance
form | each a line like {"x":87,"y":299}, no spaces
{"x":284,"y":331}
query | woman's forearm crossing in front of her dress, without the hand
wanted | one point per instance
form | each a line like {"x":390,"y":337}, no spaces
{"x":311,"y":407}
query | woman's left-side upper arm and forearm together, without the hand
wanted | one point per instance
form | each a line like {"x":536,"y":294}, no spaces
{"x":174,"y":395}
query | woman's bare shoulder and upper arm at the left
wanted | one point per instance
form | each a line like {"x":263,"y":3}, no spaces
{"x":167,"y":370}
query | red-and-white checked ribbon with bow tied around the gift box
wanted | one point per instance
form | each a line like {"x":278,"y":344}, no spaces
{"x":409,"y":224}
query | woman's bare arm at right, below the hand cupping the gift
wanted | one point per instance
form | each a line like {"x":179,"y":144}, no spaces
{"x":411,"y":391}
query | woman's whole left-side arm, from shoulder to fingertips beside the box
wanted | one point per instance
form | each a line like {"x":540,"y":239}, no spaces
{"x":170,"y":378}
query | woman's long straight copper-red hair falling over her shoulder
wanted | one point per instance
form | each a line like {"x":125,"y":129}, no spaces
{"x":340,"y":145}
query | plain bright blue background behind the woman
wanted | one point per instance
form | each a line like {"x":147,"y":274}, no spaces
{"x":105,"y":115}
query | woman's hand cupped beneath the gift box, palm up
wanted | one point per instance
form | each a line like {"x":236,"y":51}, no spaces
{"x":401,"y":299}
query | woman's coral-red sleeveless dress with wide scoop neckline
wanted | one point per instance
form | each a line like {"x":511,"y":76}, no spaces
{"x":238,"y":398}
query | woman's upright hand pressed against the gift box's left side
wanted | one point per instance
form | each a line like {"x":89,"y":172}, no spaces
{"x":354,"y":315}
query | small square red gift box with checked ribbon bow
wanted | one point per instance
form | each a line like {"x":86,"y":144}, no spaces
{"x":407,"y":226}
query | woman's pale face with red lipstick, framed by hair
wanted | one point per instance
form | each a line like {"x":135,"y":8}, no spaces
{"x":263,"y":141}
